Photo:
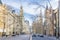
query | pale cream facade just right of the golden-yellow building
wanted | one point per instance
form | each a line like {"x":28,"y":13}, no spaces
{"x":9,"y":24}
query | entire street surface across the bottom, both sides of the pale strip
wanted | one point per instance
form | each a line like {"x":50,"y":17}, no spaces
{"x":27,"y":37}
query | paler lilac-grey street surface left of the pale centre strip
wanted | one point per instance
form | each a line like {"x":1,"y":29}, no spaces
{"x":17,"y":37}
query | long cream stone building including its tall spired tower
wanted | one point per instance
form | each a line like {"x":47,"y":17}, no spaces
{"x":18,"y":24}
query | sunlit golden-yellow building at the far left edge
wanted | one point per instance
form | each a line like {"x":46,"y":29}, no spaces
{"x":4,"y":20}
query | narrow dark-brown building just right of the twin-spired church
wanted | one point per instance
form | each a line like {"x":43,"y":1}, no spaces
{"x":55,"y":20}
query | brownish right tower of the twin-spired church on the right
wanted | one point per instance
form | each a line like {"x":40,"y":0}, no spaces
{"x":51,"y":28}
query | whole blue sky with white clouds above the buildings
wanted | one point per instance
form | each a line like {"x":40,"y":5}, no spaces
{"x":31,"y":7}
